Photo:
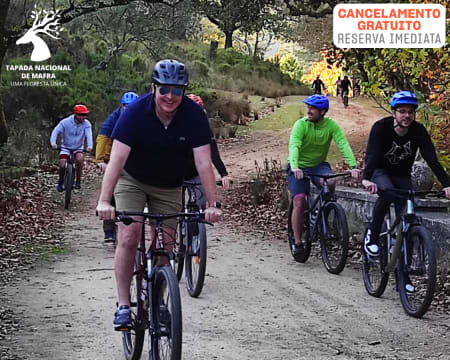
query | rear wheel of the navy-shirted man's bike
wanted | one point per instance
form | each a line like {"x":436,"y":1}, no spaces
{"x":133,"y":340}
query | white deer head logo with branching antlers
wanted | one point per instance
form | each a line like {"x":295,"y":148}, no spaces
{"x":48,"y":24}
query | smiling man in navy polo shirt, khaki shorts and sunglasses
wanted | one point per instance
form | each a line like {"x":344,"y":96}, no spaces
{"x":151,"y":142}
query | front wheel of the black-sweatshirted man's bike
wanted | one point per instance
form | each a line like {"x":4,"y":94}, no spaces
{"x":421,"y":270}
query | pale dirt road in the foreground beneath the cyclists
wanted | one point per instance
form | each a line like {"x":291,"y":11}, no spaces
{"x":257,"y":303}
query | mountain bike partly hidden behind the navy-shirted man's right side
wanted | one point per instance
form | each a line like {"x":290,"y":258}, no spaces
{"x":191,"y":245}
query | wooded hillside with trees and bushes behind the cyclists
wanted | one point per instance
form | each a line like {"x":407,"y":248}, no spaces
{"x":269,"y":48}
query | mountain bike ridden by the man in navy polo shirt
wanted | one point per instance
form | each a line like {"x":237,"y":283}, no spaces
{"x":155,"y":301}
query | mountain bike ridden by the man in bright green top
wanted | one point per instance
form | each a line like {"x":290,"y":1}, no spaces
{"x":325,"y":219}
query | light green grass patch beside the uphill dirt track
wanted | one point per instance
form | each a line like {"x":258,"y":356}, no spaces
{"x":283,"y":118}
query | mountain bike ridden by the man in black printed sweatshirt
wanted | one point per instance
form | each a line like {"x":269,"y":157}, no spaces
{"x":406,"y":248}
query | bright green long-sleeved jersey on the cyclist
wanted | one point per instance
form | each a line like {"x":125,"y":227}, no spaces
{"x":309,"y":143}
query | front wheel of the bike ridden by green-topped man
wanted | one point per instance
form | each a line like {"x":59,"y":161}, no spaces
{"x":335,"y":243}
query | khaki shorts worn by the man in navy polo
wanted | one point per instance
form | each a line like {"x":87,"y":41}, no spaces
{"x":132,"y":195}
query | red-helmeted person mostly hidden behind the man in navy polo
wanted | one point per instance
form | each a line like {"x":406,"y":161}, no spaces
{"x":191,"y":173}
